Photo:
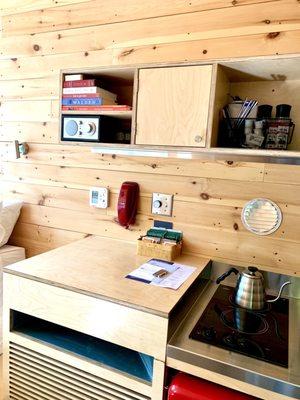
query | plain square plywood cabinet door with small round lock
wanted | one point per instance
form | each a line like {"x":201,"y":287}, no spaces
{"x":173,"y":105}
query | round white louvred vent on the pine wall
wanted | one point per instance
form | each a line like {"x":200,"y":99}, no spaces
{"x":261,"y":216}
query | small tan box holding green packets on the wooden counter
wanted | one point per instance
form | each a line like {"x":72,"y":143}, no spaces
{"x":161,"y":251}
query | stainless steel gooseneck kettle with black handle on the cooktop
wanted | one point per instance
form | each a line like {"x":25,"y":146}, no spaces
{"x":250,"y":290}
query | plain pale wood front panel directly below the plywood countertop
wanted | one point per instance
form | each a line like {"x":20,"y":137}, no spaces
{"x":109,"y":321}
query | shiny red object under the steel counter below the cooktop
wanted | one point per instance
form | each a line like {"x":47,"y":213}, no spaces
{"x":187,"y":387}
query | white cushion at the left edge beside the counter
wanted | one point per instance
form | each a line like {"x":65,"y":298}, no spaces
{"x":9,"y":214}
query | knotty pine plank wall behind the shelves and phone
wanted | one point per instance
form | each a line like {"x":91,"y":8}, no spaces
{"x":40,"y":37}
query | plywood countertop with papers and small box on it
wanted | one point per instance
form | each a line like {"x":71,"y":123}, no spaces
{"x":97,"y":267}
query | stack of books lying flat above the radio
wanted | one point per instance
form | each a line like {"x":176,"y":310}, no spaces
{"x":81,"y":94}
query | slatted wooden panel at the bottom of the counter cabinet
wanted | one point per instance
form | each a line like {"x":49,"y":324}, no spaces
{"x":40,"y":372}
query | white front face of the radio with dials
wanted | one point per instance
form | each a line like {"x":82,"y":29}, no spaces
{"x":82,"y":128}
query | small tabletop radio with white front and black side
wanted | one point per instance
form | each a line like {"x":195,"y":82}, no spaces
{"x":85,"y":128}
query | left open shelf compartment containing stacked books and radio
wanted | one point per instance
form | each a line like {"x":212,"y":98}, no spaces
{"x":96,"y":105}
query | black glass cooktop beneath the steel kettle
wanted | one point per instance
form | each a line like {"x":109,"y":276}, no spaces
{"x":260,"y":334}
